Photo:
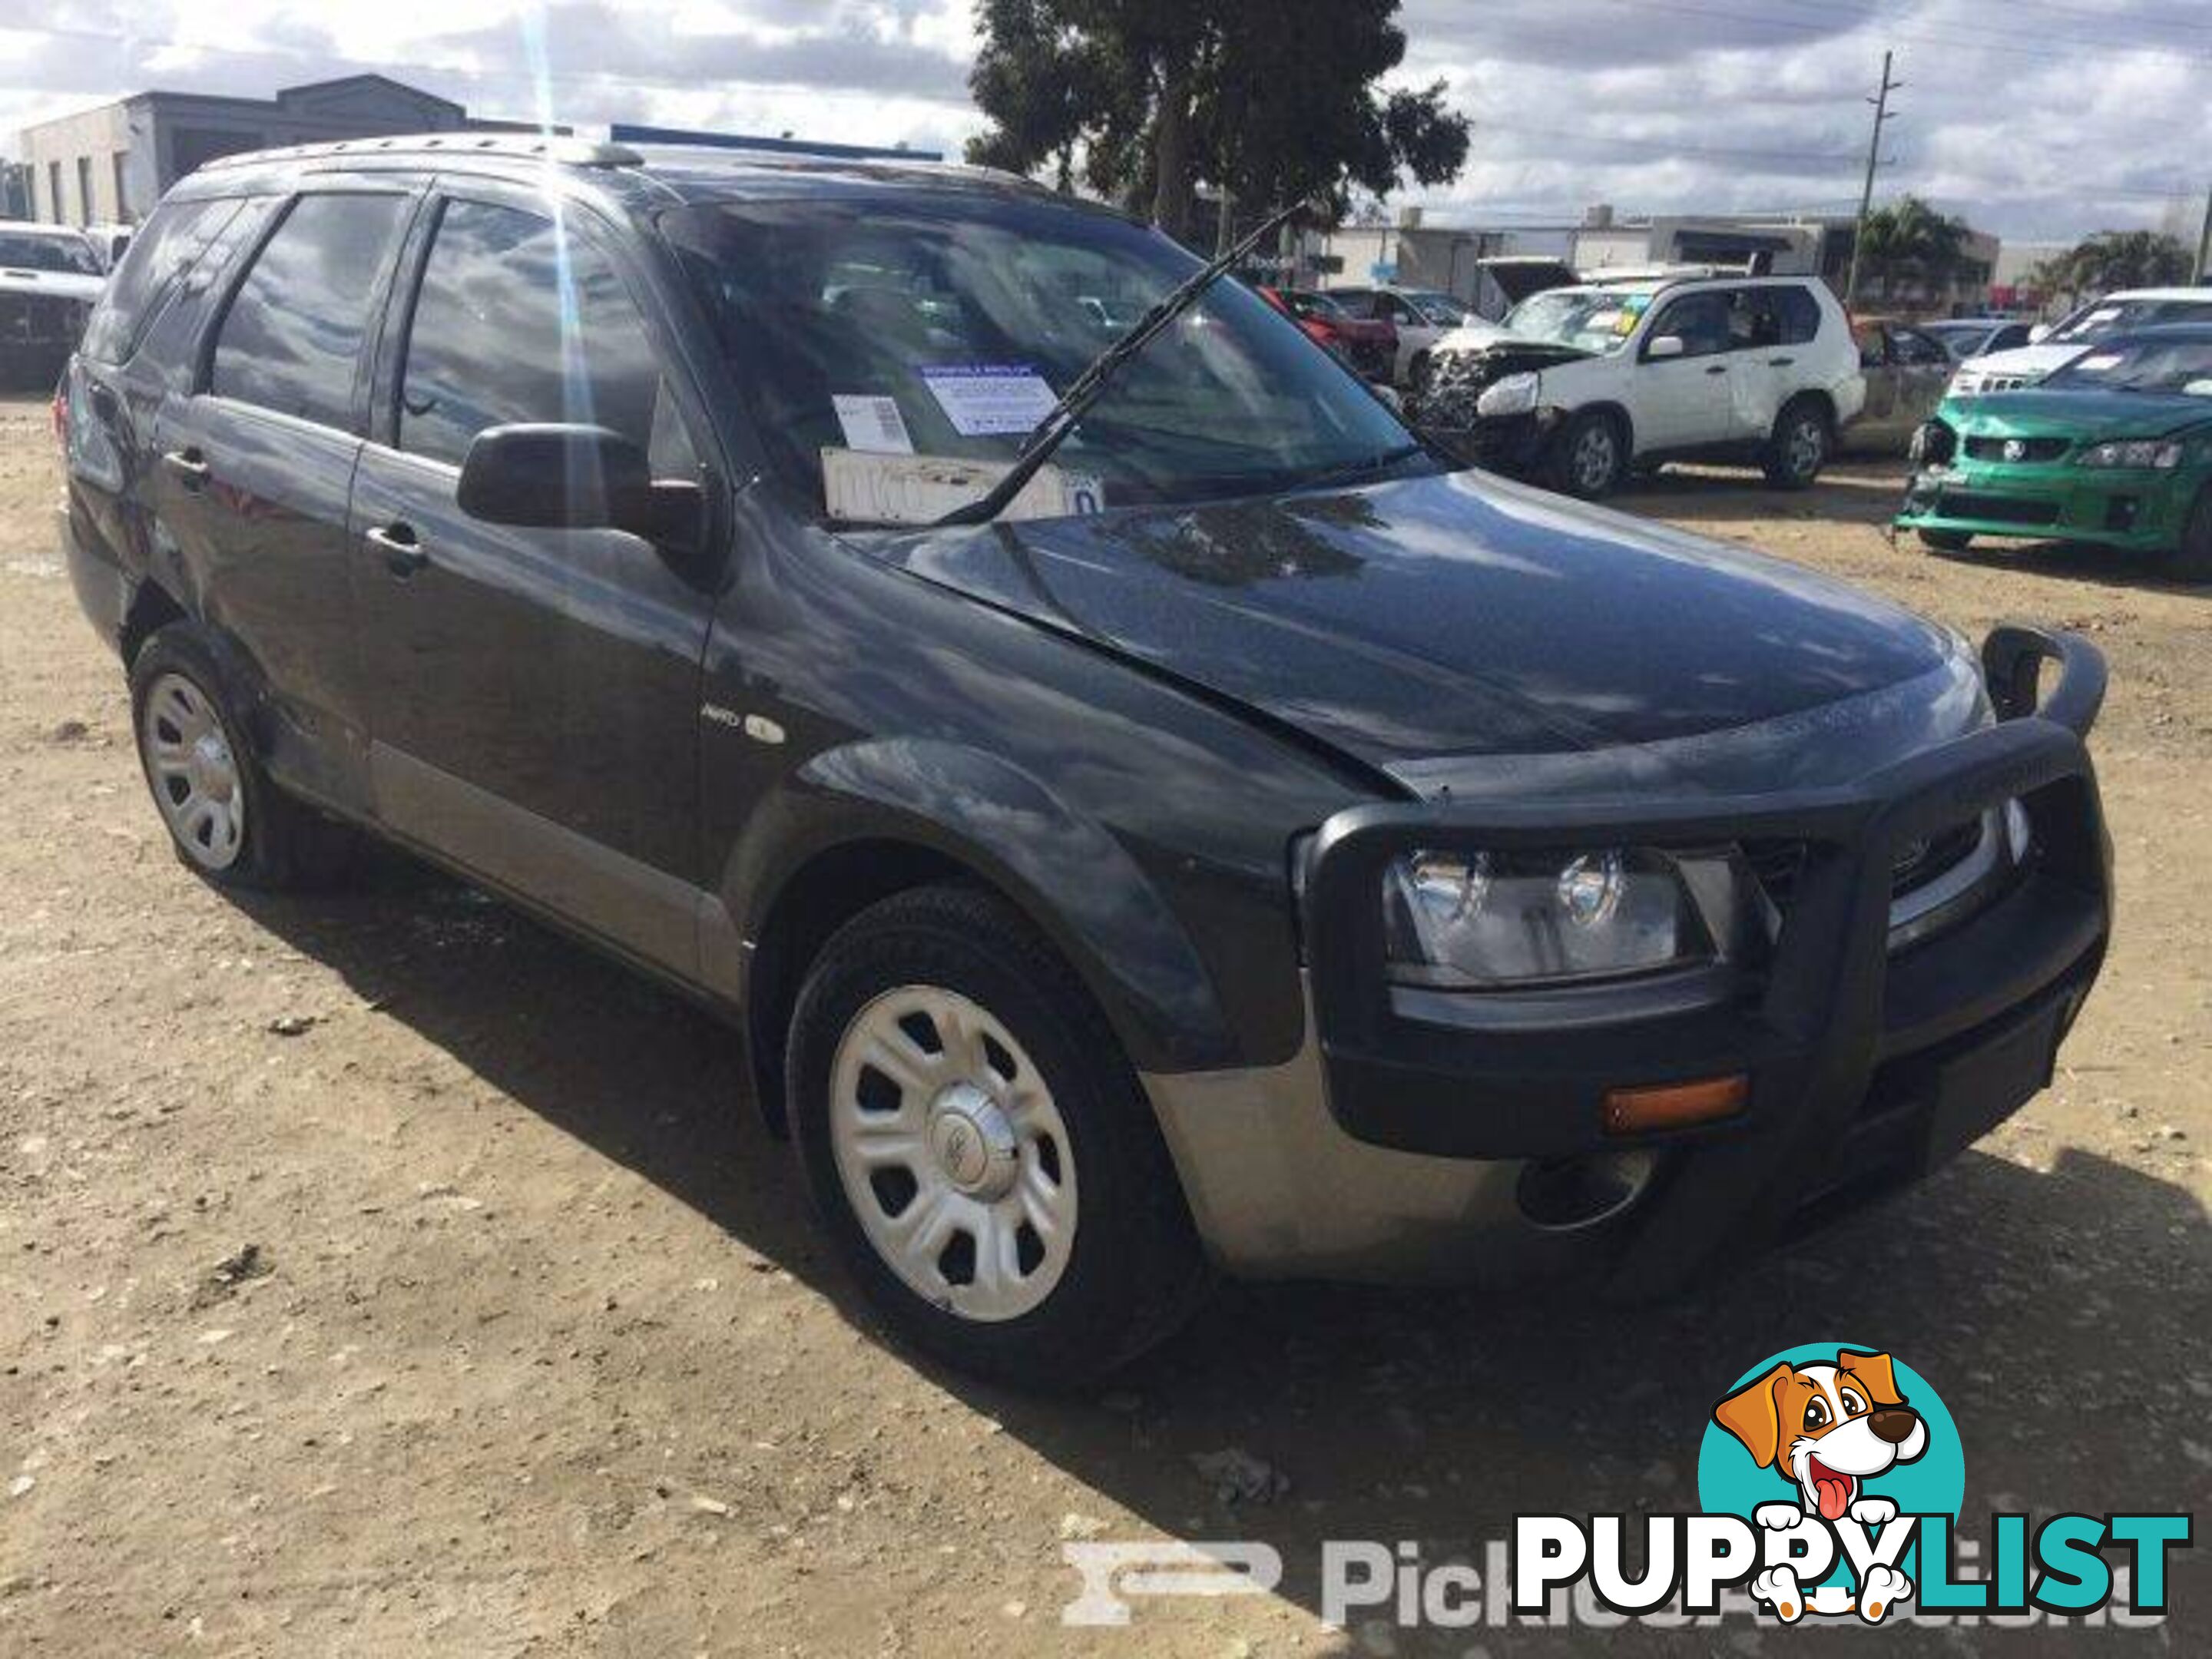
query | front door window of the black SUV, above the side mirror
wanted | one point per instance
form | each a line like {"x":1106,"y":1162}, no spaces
{"x":521,"y":322}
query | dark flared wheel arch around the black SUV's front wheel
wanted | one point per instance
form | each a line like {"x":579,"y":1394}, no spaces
{"x":873,"y":820}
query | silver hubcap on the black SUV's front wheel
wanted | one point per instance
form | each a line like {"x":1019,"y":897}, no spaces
{"x":952,"y":1154}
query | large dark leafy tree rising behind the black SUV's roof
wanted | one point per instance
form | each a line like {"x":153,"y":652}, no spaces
{"x":1262,"y":98}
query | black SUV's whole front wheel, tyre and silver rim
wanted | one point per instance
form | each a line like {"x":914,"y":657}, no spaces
{"x":979,"y":1145}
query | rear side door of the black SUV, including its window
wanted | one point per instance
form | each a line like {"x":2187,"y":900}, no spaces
{"x":255,"y":466}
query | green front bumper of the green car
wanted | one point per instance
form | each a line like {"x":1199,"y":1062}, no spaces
{"x":2114,"y":508}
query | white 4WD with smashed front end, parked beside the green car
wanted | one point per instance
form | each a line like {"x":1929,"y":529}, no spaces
{"x":1607,"y":379}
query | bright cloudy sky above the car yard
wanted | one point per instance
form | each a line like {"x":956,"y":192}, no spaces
{"x":2032,"y":118}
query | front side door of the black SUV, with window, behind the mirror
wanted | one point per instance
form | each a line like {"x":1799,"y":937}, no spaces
{"x":539,"y":689}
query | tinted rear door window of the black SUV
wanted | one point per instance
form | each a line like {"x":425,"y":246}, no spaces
{"x":293,"y":333}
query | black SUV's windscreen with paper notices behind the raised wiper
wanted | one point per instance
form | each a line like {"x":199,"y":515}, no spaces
{"x":948,"y":324}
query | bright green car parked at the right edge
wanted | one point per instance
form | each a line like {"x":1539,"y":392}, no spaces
{"x":2114,"y":450}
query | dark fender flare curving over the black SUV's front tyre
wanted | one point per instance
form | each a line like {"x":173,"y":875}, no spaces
{"x":994,"y":822}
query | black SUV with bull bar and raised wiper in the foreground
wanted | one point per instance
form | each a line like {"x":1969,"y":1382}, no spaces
{"x":1258,"y":846}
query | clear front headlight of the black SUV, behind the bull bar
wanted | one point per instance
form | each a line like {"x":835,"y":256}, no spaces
{"x":1514,"y":919}
